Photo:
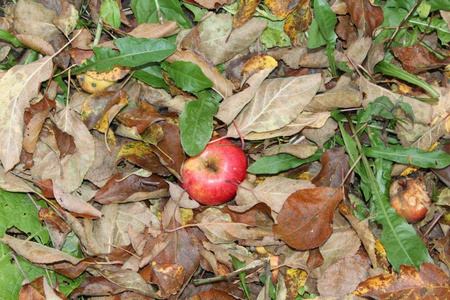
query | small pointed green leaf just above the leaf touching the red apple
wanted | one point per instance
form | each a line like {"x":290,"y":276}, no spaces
{"x":187,"y":76}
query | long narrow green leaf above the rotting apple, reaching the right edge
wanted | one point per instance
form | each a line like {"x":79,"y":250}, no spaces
{"x":410,"y":155}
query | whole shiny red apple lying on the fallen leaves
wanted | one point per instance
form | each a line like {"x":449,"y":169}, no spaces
{"x":212,"y":177}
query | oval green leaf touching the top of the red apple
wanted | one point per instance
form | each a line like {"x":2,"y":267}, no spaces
{"x":196,"y":123}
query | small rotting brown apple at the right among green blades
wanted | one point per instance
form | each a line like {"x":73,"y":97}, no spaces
{"x":410,"y":199}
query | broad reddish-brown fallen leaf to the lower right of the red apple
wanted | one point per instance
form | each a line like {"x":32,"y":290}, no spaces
{"x":305,"y":220}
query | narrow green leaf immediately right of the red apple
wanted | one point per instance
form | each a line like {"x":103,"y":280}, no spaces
{"x":280,"y":162}
